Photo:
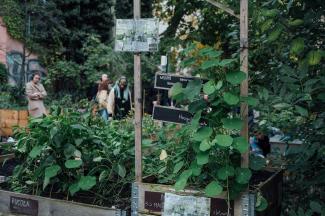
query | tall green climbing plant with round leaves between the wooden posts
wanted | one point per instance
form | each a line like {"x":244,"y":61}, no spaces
{"x":215,"y":142}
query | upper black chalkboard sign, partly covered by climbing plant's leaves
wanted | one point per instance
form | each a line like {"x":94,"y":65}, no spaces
{"x":166,"y":81}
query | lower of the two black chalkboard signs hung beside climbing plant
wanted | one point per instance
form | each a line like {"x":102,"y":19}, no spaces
{"x":171,"y":114}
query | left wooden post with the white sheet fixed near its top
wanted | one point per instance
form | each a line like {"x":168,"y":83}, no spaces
{"x":137,"y":102}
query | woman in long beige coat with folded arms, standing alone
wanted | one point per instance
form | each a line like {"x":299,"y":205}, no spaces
{"x":35,"y":93}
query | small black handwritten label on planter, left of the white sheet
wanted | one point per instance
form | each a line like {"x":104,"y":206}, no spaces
{"x":153,"y":201}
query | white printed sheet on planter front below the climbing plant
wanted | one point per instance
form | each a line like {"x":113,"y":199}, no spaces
{"x":176,"y":205}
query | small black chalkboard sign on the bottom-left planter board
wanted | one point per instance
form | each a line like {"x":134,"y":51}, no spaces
{"x":24,"y":206}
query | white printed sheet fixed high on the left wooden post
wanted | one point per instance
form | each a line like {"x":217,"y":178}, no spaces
{"x":137,"y":35}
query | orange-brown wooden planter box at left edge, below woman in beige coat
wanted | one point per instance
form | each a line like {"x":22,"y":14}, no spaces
{"x":10,"y":118}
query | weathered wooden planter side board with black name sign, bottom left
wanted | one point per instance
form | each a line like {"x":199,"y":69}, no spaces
{"x":21,"y":204}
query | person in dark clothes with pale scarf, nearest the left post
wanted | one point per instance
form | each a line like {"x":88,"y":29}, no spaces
{"x":119,"y":100}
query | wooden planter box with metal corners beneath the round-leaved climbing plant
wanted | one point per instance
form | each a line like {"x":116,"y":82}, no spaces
{"x":148,"y":199}
